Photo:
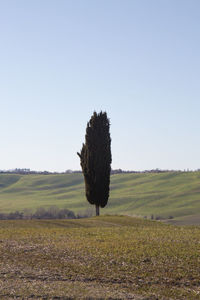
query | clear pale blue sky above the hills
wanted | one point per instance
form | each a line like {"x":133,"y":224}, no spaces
{"x":139,"y":60}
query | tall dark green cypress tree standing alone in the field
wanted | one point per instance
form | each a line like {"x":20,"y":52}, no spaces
{"x":95,"y":159}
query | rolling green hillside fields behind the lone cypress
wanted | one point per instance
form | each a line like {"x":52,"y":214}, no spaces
{"x":174,"y":194}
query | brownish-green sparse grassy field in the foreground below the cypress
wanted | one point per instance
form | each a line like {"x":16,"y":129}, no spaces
{"x":109,"y":257}
